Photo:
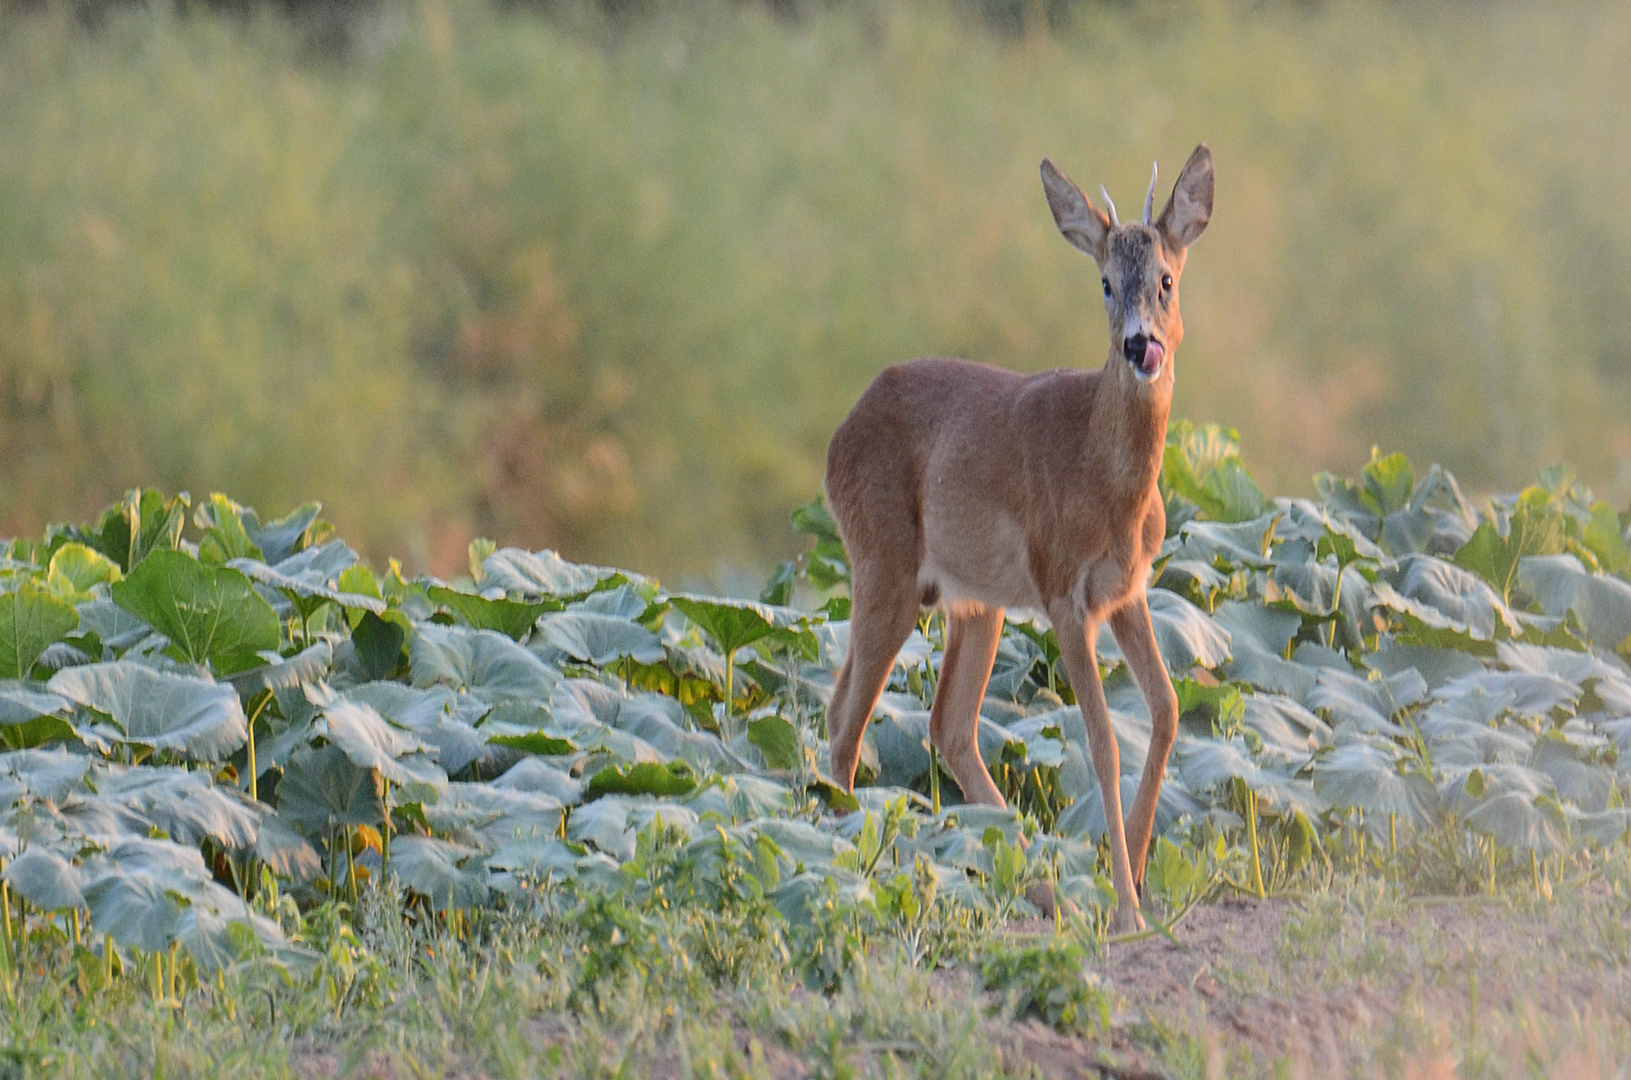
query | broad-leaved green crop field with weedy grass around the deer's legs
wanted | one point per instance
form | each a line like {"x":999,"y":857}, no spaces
{"x":265,"y":799}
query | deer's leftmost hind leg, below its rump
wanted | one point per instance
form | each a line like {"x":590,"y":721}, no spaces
{"x":882,"y":617}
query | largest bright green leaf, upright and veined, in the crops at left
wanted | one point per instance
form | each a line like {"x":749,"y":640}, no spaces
{"x":211,"y":614}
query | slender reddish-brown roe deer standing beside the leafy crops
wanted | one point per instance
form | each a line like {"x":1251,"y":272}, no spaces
{"x":979,"y":490}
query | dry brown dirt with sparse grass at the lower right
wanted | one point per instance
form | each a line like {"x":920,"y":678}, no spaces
{"x":1283,"y":988}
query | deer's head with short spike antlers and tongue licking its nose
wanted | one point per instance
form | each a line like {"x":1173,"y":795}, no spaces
{"x":1141,"y":262}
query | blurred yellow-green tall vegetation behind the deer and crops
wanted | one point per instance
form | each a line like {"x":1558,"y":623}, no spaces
{"x":606,"y":280}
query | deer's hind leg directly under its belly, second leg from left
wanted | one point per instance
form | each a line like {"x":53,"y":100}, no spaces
{"x":955,"y":720}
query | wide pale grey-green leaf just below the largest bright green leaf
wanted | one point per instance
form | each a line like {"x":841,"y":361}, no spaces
{"x":164,"y":710}
